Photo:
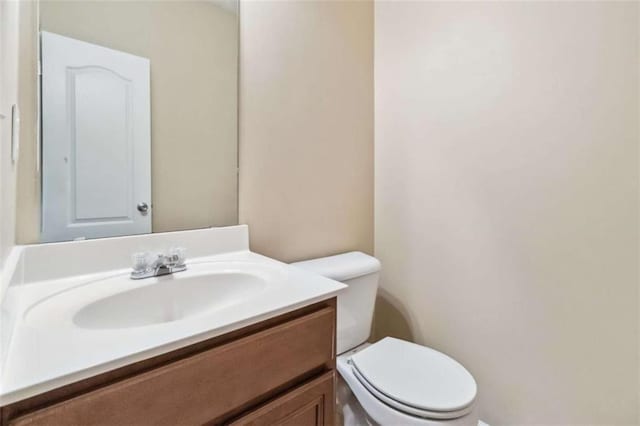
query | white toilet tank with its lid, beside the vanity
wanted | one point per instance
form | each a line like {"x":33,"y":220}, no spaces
{"x":360,"y":273}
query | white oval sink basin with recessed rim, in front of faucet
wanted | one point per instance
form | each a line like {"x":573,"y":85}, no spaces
{"x":118,"y":302}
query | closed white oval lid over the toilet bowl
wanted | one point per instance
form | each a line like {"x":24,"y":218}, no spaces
{"x":416,"y":376}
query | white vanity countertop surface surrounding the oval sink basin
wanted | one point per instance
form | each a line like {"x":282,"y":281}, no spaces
{"x":42,"y":357}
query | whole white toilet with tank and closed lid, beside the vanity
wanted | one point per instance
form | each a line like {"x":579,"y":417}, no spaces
{"x":391,"y":382}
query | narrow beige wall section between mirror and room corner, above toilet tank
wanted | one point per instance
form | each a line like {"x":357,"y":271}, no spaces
{"x":306,"y":127}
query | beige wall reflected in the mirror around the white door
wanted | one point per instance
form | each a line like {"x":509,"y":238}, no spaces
{"x":192,"y":47}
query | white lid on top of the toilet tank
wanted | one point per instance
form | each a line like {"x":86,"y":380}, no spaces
{"x":342,"y":266}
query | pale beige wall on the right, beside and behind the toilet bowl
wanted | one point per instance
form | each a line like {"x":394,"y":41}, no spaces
{"x":507,"y":199}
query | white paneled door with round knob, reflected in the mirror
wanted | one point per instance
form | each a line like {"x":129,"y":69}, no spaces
{"x":96,"y":146}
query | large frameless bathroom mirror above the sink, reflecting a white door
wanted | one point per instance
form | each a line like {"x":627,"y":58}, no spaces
{"x":138,"y":116}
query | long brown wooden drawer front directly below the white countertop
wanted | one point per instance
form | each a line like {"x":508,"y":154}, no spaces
{"x":206,"y":386}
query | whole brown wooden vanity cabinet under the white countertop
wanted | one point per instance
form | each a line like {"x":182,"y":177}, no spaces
{"x":277,"y":372}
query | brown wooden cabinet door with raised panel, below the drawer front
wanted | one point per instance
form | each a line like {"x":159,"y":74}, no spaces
{"x":311,"y":404}
